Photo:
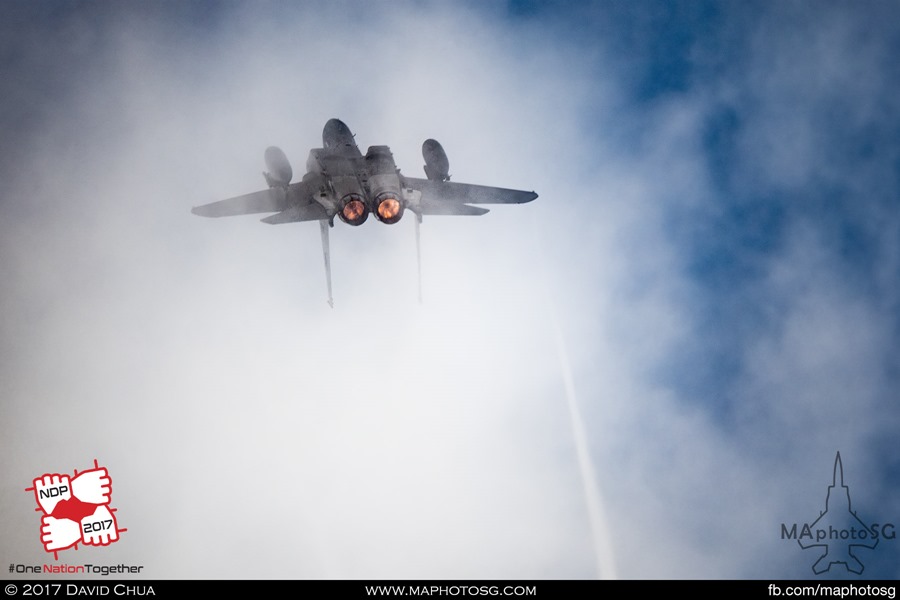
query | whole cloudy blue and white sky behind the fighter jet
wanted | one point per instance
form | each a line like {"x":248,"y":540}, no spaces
{"x":709,"y":275}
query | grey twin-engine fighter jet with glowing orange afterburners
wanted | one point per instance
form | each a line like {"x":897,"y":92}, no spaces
{"x":340,"y":181}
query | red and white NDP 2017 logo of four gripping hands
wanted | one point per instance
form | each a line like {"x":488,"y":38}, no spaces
{"x":76,"y":509}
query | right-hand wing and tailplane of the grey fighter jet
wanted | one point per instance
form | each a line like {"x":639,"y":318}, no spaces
{"x":450,"y":198}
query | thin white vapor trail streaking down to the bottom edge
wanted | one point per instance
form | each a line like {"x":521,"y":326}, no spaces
{"x":606,"y":564}
